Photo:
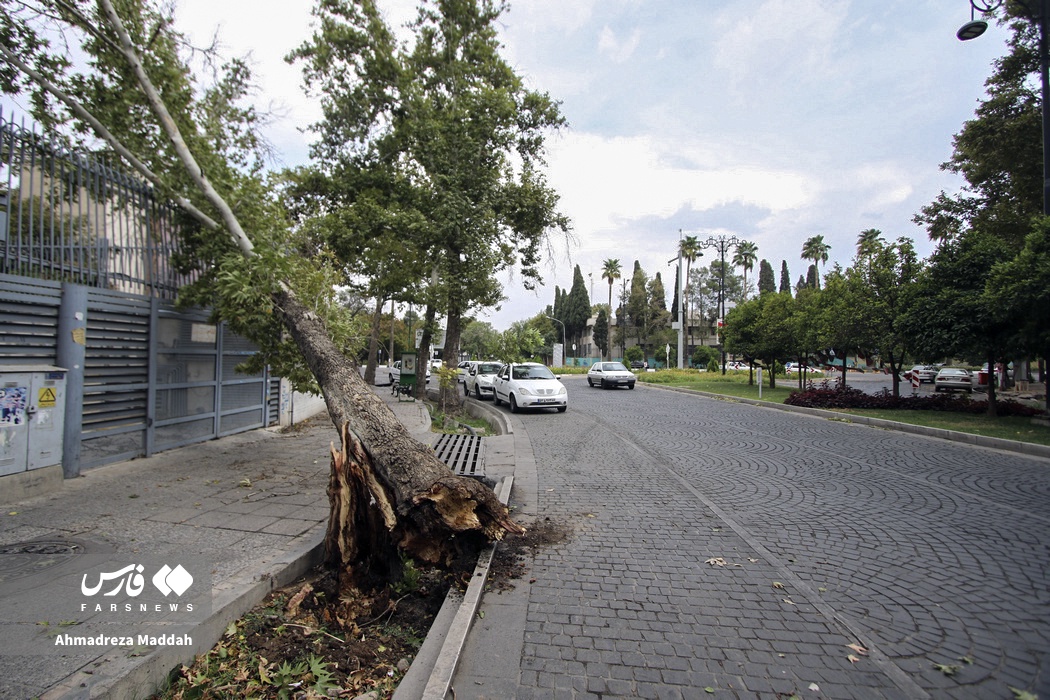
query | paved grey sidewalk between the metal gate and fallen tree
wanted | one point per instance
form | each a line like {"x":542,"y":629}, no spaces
{"x":248,"y":512}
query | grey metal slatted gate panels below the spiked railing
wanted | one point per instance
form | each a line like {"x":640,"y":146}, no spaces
{"x":154,"y":378}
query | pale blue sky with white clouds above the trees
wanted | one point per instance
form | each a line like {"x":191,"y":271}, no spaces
{"x":772,"y":121}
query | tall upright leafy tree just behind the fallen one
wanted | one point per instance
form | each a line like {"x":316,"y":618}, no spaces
{"x":459,"y":123}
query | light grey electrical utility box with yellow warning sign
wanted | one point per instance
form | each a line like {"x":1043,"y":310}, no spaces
{"x":32,"y":417}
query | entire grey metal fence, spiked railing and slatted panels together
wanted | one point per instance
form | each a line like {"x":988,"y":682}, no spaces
{"x":81,"y":240}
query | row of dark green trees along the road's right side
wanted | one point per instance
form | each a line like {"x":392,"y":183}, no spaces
{"x":982,"y":298}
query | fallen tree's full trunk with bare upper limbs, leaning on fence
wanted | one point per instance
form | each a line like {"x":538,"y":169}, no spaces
{"x":389,"y":493}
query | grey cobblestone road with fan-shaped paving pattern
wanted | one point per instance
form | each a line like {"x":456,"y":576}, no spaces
{"x":724,"y":547}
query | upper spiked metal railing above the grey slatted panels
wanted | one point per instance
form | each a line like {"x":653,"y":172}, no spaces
{"x":71,"y":218}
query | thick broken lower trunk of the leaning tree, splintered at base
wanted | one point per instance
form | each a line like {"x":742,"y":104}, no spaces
{"x":421,"y":505}
